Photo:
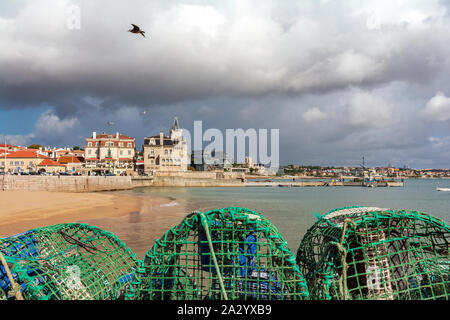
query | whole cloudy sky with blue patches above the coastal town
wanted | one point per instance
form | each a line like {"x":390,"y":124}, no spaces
{"x":339,"y":79}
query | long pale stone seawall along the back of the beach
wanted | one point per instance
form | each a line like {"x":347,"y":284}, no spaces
{"x":64,"y":183}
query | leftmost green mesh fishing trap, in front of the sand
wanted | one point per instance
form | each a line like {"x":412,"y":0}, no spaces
{"x":67,"y":262}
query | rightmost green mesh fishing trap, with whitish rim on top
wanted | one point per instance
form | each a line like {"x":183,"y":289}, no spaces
{"x":372,"y":254}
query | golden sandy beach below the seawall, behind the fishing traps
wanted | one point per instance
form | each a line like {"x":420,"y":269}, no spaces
{"x":138,"y":221}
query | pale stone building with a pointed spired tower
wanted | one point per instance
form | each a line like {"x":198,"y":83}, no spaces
{"x":166,"y":153}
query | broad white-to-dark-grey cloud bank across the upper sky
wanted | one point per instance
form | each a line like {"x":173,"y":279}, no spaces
{"x":195,"y":51}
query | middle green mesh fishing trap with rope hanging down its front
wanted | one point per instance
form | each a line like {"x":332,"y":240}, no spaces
{"x":230,"y":253}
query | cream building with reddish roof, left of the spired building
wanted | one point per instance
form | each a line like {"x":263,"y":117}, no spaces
{"x":109,"y":154}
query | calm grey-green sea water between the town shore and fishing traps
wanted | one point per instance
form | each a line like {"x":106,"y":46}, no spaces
{"x":294,"y":209}
